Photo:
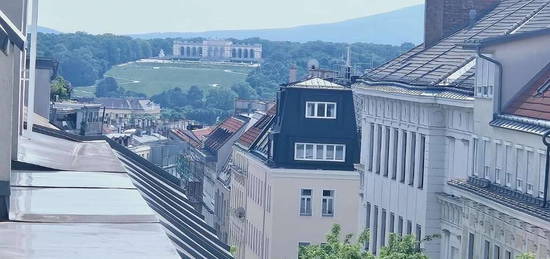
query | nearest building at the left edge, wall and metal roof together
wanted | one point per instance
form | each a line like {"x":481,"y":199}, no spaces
{"x":71,"y":196}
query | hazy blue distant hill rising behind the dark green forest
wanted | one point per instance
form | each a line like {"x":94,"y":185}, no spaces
{"x":396,"y":27}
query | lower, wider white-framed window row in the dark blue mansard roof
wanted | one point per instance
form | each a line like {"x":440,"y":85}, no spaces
{"x":320,"y":152}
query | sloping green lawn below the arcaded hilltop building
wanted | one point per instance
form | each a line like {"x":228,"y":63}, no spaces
{"x":152,"y":78}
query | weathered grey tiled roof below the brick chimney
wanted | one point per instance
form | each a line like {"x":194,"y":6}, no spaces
{"x":433,"y":66}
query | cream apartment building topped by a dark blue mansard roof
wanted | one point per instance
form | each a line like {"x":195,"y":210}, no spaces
{"x":292,"y":174}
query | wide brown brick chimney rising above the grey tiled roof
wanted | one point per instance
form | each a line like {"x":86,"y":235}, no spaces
{"x":445,"y":17}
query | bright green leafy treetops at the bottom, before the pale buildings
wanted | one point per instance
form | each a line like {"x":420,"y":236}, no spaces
{"x":406,"y":247}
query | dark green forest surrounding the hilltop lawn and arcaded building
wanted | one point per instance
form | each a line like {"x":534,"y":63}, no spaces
{"x":84,"y":59}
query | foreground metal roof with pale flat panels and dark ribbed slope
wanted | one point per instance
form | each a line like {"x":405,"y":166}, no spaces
{"x":156,"y":217}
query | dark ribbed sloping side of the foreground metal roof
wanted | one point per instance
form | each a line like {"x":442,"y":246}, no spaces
{"x":192,"y":237}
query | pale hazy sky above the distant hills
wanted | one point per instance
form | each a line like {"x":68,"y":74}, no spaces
{"x":145,"y":16}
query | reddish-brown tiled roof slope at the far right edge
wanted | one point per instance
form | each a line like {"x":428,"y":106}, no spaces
{"x":534,"y":102}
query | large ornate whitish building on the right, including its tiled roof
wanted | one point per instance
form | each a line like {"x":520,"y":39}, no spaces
{"x":445,"y":148}
